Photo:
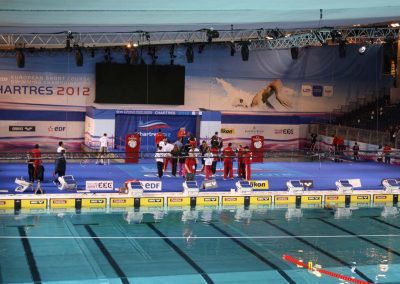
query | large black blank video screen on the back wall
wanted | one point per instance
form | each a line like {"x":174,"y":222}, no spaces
{"x":140,"y":84}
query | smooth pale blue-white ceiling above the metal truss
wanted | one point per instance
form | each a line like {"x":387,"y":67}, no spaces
{"x":156,"y":15}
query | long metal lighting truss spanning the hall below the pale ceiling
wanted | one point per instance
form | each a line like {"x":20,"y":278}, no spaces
{"x":257,"y":38}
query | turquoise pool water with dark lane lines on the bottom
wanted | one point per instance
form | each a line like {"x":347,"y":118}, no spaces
{"x":233,"y":245}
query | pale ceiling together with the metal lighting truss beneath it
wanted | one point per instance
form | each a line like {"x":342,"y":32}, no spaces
{"x":262,"y":24}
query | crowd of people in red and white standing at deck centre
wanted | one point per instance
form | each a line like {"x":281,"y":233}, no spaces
{"x":184,"y":156}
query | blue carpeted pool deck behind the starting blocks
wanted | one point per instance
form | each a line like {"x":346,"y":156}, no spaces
{"x":323,"y":174}
